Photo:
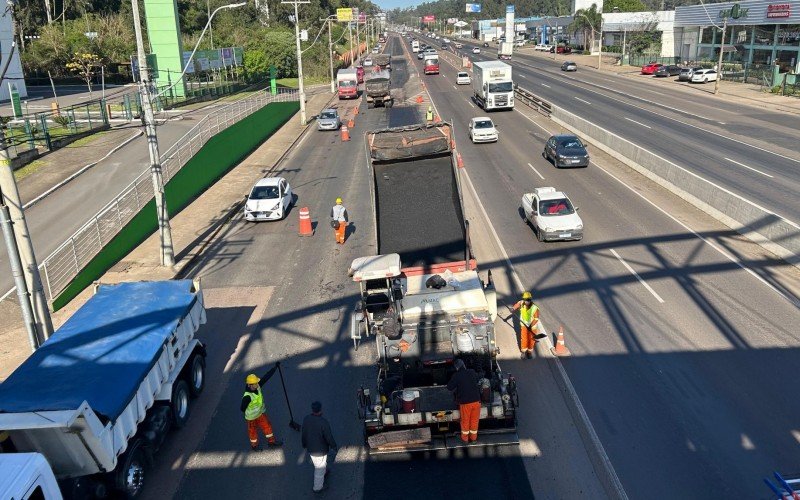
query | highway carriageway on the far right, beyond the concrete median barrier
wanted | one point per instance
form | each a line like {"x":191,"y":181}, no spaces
{"x":752,"y":152}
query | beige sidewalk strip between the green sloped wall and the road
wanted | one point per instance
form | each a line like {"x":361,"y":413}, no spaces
{"x":192,"y":229}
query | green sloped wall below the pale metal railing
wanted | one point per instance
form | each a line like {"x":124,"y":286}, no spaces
{"x":221,"y":153}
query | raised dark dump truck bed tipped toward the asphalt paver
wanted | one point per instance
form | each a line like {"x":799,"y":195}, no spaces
{"x":415,"y":178}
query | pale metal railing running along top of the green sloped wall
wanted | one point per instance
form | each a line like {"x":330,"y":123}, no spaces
{"x":64,"y":264}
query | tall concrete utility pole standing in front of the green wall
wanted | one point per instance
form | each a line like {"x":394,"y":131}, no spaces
{"x":164,"y":230}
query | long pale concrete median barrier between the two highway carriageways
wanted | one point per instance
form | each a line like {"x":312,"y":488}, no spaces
{"x":757,"y":223}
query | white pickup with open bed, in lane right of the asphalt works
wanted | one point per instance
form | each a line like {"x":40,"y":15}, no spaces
{"x":552,"y":215}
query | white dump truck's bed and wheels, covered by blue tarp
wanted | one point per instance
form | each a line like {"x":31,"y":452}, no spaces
{"x":99,"y":397}
